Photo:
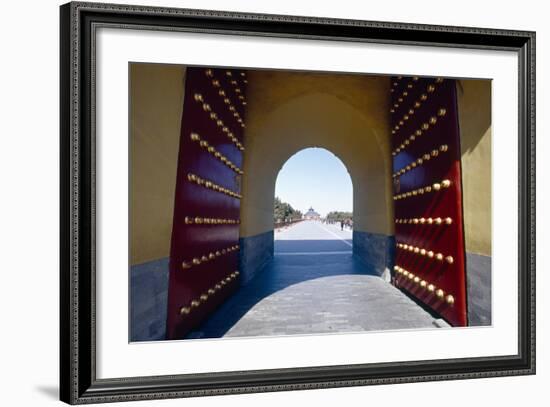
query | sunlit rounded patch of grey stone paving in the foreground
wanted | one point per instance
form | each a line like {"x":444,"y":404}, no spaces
{"x":346,"y":303}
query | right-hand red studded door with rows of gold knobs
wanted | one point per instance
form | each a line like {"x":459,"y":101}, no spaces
{"x":430,"y":259}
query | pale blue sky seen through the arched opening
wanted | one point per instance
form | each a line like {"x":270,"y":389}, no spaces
{"x":315,"y":177}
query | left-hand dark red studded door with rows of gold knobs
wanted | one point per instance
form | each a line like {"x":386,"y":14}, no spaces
{"x":204,"y":251}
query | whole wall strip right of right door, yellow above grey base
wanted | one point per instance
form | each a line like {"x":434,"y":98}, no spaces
{"x":474,"y":108}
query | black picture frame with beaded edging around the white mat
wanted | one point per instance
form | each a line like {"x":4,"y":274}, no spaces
{"x":78,"y":382}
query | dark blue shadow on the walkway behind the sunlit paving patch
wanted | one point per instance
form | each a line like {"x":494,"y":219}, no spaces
{"x":295,"y":261}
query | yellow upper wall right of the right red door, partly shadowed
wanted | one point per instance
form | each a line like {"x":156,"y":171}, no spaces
{"x":474,"y":104}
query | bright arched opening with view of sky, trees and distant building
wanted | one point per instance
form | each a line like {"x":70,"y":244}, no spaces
{"x":313,"y":204}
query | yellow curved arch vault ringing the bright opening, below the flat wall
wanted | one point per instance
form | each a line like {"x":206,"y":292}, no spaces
{"x":309,"y":121}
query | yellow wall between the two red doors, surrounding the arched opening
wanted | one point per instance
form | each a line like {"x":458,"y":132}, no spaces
{"x":345,"y":114}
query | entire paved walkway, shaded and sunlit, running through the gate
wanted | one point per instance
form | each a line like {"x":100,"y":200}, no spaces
{"x":314,"y":285}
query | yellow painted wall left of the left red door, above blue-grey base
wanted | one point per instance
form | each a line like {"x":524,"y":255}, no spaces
{"x":155,"y":118}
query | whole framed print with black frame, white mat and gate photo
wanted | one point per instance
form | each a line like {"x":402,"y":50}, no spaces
{"x":256,"y":203}
